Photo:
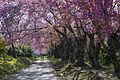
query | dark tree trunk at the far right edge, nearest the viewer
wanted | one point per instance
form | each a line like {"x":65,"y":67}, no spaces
{"x":113,"y":44}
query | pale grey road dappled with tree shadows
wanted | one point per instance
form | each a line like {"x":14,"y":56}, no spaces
{"x":39,"y":70}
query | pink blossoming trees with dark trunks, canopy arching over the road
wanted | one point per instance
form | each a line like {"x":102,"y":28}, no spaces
{"x":72,"y":27}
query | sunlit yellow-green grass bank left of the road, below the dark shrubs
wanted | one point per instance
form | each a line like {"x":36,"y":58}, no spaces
{"x":13,"y":65}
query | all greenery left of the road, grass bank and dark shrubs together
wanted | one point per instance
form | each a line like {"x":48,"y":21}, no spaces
{"x":10,"y":65}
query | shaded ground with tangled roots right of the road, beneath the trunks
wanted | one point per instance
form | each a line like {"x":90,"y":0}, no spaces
{"x":69,"y":72}
